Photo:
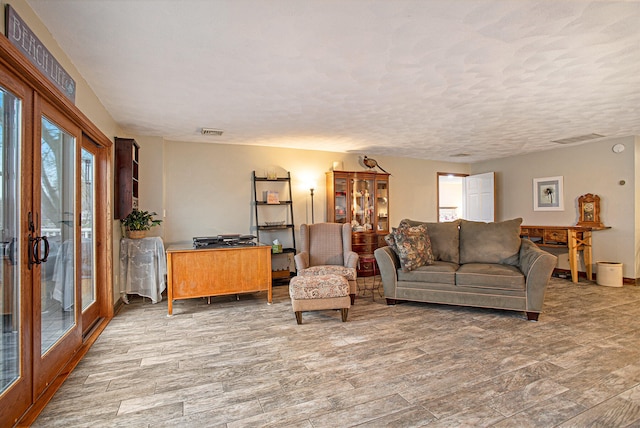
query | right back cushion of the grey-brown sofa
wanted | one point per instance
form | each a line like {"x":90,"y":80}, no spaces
{"x":490,"y":242}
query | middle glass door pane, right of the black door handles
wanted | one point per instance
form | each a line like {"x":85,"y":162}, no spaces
{"x":57,"y":183}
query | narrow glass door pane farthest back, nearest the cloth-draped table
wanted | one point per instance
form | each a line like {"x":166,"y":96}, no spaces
{"x":87,"y":228}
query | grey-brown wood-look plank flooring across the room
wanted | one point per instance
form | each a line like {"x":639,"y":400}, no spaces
{"x":244,"y":363}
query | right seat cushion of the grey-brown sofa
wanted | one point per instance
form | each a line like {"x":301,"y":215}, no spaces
{"x":490,"y":275}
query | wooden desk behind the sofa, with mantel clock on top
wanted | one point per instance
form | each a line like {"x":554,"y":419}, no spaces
{"x":575,"y":238}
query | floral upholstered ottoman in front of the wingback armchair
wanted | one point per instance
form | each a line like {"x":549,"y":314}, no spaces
{"x":318,"y":292}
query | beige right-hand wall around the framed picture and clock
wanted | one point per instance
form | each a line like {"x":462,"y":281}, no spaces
{"x":586,"y":168}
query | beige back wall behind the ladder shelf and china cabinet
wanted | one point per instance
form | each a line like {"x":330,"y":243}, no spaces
{"x":209,"y":190}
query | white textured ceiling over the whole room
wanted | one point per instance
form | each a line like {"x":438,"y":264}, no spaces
{"x":425,"y":79}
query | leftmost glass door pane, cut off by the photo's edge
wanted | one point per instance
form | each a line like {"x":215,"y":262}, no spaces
{"x":10,"y":346}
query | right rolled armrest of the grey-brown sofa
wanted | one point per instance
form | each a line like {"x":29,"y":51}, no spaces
{"x":537,"y":266}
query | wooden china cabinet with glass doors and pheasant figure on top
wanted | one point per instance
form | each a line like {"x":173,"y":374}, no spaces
{"x":360,"y":198}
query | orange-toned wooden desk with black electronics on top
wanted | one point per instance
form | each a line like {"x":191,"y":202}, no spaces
{"x":206,"y":272}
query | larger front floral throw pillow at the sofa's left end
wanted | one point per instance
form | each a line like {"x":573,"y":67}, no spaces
{"x":413,"y":246}
